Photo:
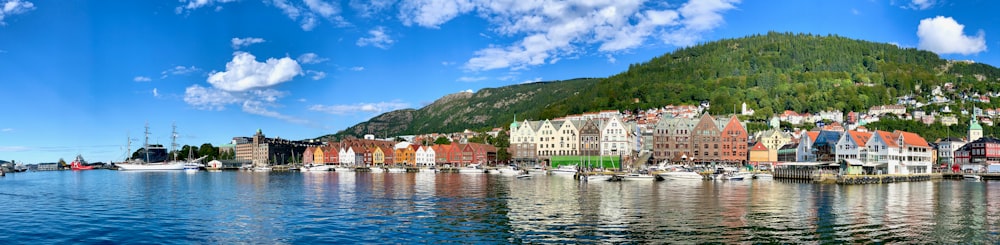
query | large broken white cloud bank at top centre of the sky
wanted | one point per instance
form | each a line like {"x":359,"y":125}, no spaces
{"x":549,"y":30}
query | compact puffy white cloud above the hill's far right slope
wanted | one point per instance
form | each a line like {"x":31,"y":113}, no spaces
{"x":944,"y":35}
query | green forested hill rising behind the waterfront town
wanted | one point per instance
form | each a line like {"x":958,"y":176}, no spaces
{"x":771,"y":73}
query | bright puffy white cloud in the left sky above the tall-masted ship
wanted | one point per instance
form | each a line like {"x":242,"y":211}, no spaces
{"x":244,"y":73}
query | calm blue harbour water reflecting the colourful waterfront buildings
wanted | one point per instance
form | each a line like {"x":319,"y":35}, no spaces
{"x":276,"y":208}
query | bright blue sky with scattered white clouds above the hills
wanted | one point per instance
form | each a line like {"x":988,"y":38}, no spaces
{"x":84,"y":76}
